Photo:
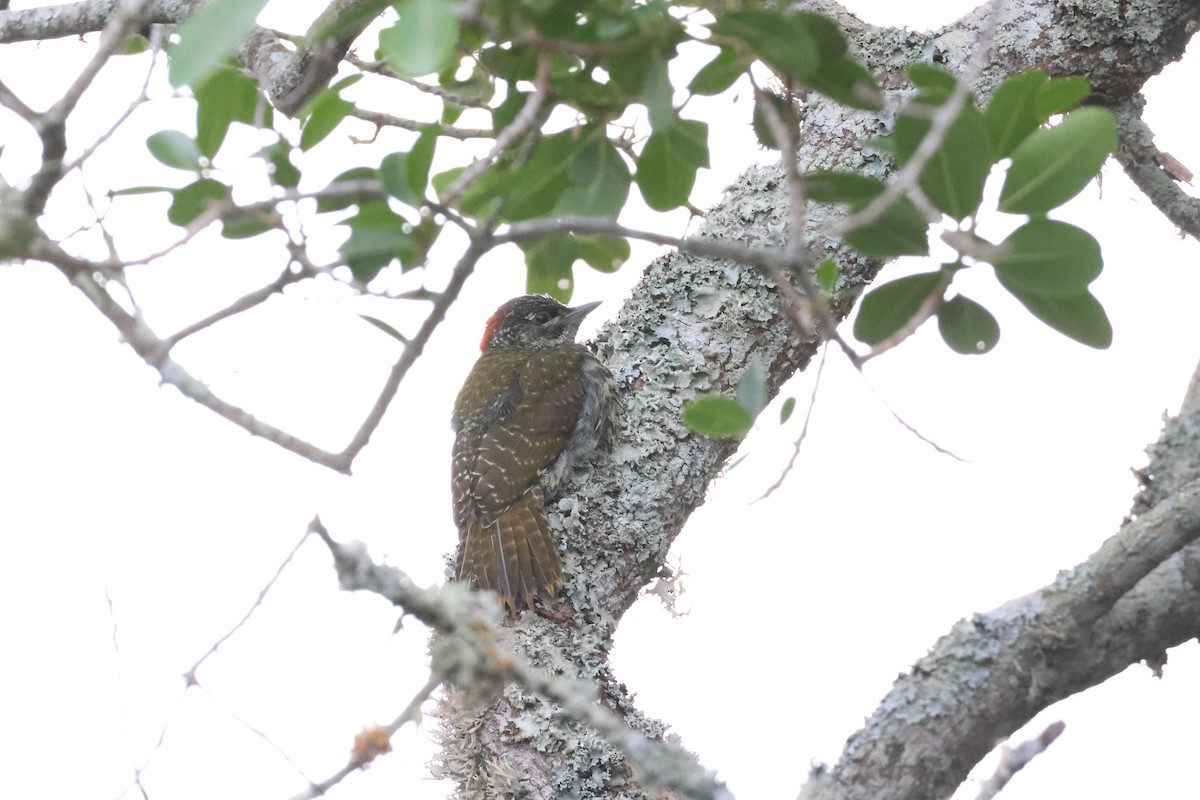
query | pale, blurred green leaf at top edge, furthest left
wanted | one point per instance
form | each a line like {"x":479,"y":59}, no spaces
{"x":208,"y":35}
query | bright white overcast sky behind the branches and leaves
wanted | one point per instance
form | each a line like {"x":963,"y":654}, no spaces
{"x":802,"y":609}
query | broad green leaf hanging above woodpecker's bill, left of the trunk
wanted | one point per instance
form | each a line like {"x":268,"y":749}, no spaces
{"x":667,"y":167}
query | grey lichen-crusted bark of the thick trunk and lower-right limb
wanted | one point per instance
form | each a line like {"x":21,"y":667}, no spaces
{"x":694,"y":326}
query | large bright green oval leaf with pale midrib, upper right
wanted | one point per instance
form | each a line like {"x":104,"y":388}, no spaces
{"x":1054,"y":165}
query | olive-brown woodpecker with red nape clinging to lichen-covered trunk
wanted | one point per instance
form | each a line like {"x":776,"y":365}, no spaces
{"x":535,"y":406}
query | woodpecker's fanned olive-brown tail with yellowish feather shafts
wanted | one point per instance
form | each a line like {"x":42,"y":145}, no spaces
{"x":514,"y":556}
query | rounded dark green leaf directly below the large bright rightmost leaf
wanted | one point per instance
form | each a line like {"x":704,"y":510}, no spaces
{"x":1049,"y":258}
